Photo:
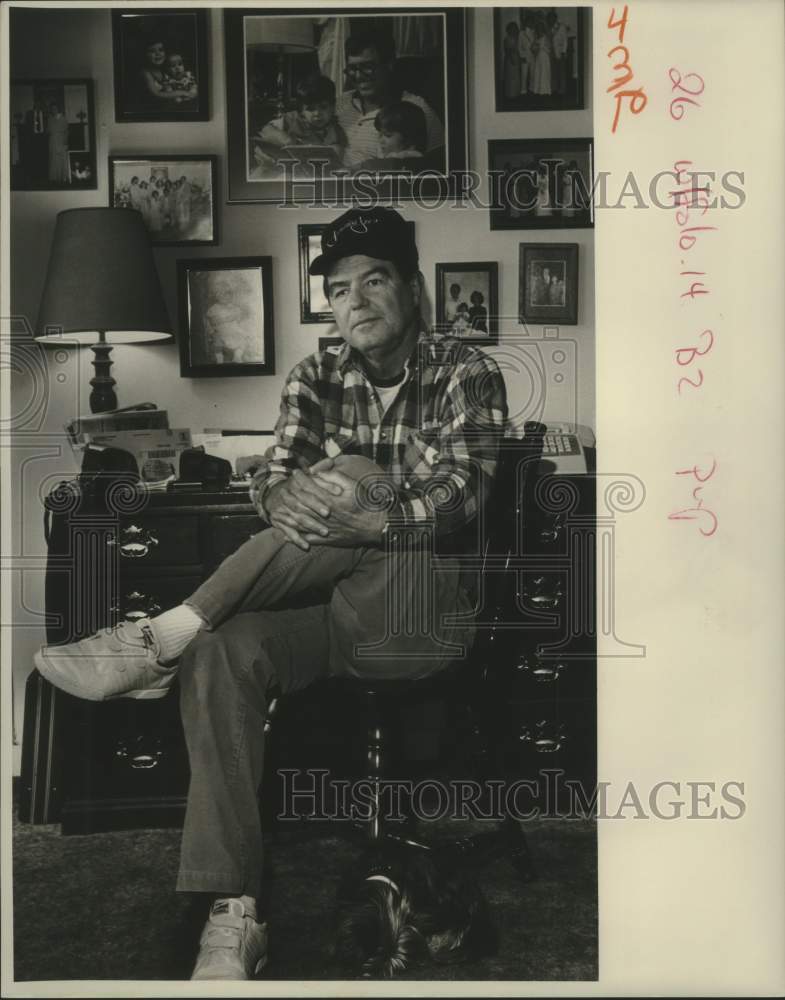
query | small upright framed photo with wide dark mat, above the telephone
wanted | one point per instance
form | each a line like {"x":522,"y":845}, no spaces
{"x":548,"y":283}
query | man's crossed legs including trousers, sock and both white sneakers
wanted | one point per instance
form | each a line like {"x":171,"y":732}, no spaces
{"x":235,"y":639}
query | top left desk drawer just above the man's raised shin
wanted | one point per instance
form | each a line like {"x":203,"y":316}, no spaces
{"x":158,"y":541}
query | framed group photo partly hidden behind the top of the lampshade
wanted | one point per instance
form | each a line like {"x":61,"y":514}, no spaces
{"x":176,"y":196}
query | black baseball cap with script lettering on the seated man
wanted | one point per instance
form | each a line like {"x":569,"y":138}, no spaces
{"x":372,"y":232}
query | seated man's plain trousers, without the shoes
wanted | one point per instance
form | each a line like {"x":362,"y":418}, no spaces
{"x":380,"y":615}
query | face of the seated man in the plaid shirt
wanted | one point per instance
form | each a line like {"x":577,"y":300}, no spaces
{"x":373,"y":306}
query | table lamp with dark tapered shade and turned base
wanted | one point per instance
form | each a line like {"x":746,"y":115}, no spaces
{"x":101,"y":289}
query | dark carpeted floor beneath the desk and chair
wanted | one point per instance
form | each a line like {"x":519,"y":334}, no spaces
{"x":103,"y":906}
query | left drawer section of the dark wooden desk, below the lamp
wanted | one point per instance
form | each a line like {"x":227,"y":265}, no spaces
{"x":121,"y":763}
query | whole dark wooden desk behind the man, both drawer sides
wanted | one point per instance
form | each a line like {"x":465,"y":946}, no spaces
{"x":122,"y":764}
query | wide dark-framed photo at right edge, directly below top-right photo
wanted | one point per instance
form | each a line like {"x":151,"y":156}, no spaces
{"x":541,"y":183}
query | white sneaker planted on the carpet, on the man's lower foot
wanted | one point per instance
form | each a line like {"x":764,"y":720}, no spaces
{"x":233,"y":945}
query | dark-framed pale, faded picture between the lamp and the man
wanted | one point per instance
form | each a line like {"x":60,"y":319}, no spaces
{"x":226,"y":316}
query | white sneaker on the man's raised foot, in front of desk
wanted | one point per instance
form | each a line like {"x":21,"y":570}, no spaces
{"x":121,"y":662}
